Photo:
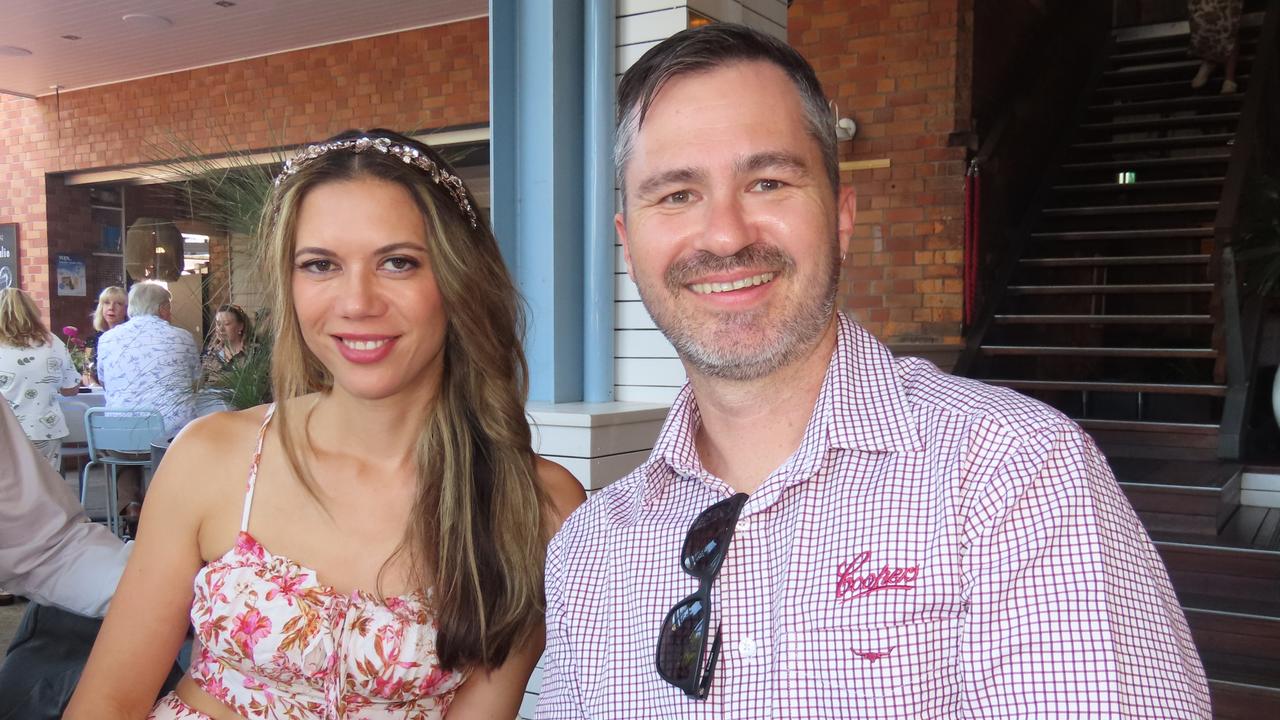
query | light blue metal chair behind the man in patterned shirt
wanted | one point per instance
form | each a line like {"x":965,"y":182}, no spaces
{"x":120,"y":432}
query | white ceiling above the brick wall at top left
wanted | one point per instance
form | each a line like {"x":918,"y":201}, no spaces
{"x":202,"y":34}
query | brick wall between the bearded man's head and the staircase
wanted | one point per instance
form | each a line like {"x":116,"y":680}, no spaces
{"x":902,"y":71}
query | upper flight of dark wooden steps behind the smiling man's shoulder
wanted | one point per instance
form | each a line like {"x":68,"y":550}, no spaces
{"x":1109,"y":315}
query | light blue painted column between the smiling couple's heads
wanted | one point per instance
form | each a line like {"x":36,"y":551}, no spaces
{"x":541,"y":158}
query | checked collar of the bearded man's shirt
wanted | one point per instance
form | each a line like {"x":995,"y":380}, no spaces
{"x":861,"y":407}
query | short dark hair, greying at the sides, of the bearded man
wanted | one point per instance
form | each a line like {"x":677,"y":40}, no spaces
{"x":706,"y":49}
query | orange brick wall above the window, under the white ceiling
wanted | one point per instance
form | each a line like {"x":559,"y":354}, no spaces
{"x":424,"y":79}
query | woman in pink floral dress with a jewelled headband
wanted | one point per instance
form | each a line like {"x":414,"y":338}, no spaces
{"x":373,"y":545}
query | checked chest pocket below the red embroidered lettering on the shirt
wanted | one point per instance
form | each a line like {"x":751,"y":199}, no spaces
{"x":908,"y":669}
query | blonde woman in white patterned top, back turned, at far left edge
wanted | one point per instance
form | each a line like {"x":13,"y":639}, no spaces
{"x":35,"y":370}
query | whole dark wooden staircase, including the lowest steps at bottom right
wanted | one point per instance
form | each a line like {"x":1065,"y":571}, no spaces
{"x":1116,"y":313}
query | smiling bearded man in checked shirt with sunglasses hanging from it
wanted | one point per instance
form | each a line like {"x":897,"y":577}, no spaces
{"x":824,"y":531}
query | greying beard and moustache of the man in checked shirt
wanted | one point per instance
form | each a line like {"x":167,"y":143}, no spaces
{"x":715,"y":347}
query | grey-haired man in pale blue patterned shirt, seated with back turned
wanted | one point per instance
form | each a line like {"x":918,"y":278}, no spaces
{"x":149,"y":363}
